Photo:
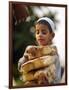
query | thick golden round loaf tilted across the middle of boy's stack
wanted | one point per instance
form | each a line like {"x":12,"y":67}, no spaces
{"x":38,"y":63}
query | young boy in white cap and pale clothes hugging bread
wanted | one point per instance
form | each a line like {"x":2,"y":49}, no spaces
{"x":44,"y":36}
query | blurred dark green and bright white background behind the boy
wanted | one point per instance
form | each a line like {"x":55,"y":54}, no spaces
{"x":24,"y":17}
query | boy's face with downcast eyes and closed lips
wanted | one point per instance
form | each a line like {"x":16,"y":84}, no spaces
{"x":43,"y":35}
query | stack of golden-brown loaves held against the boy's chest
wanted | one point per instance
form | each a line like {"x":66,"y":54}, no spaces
{"x":41,"y":59}
